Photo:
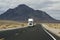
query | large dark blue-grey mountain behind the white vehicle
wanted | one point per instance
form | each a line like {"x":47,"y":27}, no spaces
{"x":23,"y":12}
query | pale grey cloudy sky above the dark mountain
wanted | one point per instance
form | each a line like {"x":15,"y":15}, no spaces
{"x":52,"y":7}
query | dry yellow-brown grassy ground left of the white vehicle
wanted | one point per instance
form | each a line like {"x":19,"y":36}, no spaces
{"x":4,"y":24}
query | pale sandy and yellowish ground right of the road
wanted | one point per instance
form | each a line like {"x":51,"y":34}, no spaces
{"x":53,"y":27}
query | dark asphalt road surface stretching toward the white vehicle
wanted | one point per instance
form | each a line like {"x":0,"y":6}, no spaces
{"x":29,"y":33}
